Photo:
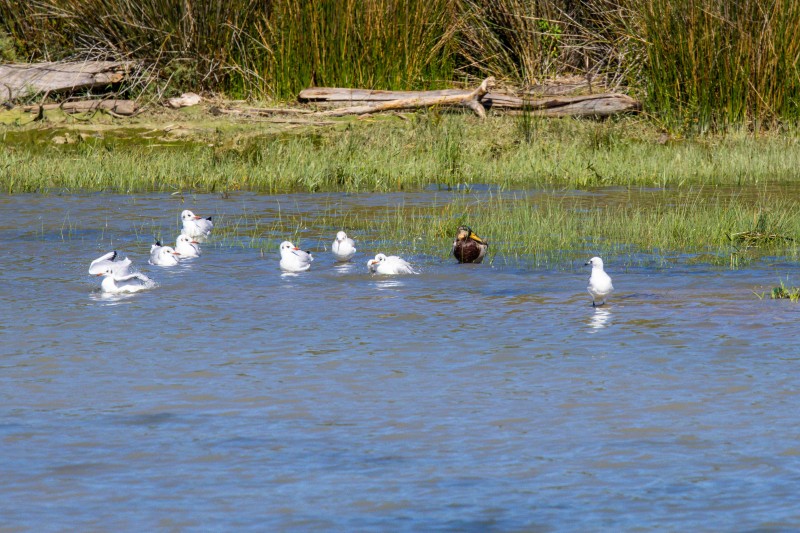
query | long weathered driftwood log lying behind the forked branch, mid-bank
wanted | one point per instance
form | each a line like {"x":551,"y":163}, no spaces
{"x":557,"y":106}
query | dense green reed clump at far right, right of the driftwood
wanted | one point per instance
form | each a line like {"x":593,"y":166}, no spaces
{"x":715,"y":63}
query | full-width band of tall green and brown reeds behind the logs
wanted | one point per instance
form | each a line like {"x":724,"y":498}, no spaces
{"x":698,"y":65}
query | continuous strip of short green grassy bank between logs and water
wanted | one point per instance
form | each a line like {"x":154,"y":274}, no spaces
{"x":384,"y":154}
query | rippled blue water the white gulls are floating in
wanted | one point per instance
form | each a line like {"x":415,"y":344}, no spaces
{"x":467,"y":398}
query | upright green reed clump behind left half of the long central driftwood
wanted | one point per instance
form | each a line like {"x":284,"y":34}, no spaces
{"x":382,"y":44}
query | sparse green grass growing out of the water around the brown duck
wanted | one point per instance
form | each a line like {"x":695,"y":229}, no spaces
{"x":545,"y":229}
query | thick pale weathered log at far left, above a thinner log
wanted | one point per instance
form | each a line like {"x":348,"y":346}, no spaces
{"x":18,"y":80}
